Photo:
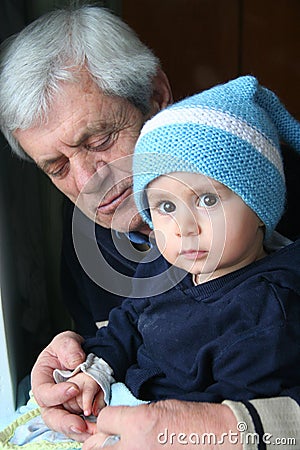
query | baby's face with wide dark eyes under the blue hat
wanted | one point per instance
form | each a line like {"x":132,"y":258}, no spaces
{"x":202,"y":226}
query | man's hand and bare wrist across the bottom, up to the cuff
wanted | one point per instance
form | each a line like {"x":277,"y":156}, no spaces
{"x":169,"y":424}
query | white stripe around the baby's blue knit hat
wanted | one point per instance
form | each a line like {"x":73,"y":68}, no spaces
{"x":222,"y":121}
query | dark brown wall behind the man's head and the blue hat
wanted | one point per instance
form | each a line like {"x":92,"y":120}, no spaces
{"x":203,"y":42}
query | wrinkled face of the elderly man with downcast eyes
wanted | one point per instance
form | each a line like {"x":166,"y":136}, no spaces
{"x":85,"y":148}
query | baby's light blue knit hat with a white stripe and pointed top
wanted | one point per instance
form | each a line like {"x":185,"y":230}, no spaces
{"x":230,"y":133}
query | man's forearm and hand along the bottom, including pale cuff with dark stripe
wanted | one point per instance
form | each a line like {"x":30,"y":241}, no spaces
{"x":172,"y":424}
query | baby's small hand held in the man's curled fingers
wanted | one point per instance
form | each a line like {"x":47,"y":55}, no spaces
{"x":89,"y":400}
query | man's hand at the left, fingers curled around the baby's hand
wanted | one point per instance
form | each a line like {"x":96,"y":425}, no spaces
{"x":63,"y":352}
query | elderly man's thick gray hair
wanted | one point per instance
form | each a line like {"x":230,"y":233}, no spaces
{"x":54,"y":48}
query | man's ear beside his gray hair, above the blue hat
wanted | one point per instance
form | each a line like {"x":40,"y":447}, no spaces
{"x":162,"y":93}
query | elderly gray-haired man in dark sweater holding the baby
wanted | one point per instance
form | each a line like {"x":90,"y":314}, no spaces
{"x":76,"y":87}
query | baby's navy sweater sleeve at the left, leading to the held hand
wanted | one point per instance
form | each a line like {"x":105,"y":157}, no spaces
{"x":118,"y":343}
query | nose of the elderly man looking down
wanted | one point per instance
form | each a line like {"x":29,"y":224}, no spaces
{"x":87,"y":173}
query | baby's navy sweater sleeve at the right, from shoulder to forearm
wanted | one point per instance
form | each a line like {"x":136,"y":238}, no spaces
{"x":261,"y":361}
